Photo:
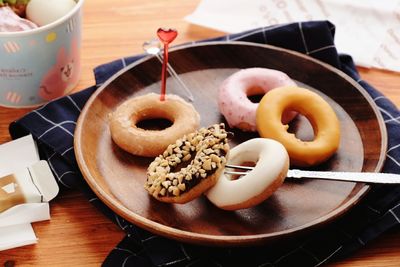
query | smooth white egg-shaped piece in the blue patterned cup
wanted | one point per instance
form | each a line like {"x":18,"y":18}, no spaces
{"x":43,"y":12}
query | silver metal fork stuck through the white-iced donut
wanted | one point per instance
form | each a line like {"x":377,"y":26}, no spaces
{"x":366,"y":177}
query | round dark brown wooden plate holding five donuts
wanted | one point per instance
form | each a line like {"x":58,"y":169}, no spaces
{"x":118,"y":177}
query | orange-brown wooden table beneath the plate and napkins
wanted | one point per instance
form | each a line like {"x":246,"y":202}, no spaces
{"x":78,"y":234}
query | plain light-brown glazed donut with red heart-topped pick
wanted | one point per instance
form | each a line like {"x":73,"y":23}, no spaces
{"x":150,"y":143}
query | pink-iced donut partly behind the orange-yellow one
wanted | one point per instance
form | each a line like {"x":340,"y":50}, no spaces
{"x":233,"y":94}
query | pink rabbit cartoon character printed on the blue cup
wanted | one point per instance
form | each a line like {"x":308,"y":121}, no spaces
{"x":63,"y":75}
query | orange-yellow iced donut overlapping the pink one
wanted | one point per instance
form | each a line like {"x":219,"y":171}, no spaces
{"x":320,"y":114}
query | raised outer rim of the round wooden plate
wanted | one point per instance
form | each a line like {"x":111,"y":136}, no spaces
{"x":209,"y":239}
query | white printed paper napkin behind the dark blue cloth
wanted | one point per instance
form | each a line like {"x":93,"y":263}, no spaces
{"x":369,"y":30}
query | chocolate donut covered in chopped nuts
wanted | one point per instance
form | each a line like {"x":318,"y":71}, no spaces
{"x":204,"y":151}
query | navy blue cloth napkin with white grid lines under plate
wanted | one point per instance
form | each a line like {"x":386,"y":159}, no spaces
{"x":53,"y":125}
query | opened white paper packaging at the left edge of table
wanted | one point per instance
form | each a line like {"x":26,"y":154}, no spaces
{"x":20,"y":163}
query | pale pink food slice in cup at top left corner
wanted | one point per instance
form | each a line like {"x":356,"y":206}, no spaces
{"x":11,"y":22}
